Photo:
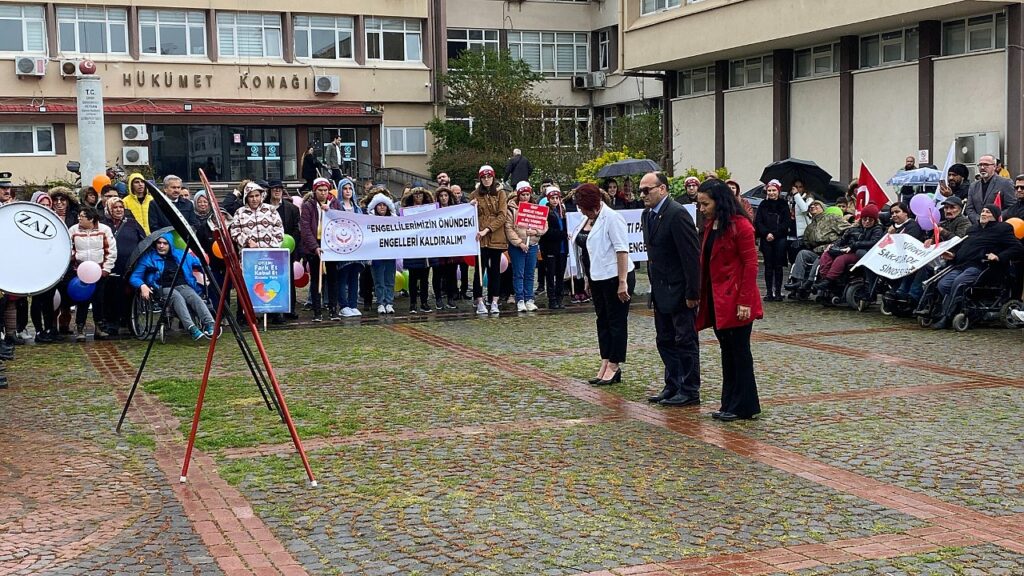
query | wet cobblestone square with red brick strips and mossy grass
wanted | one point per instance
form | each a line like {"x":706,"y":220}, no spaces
{"x":458,"y":445}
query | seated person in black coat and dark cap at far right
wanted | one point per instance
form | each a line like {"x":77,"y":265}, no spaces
{"x":989,"y":242}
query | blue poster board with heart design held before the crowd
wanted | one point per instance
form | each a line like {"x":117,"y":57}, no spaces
{"x":268,"y":273}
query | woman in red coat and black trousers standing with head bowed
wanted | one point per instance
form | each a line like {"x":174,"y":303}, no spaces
{"x":730,"y":298}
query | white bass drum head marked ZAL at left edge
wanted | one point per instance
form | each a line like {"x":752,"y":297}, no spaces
{"x":35,"y":249}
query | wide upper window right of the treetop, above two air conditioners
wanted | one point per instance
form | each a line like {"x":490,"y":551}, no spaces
{"x":552,"y":54}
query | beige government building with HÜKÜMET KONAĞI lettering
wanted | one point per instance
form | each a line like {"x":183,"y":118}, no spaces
{"x":192,"y":85}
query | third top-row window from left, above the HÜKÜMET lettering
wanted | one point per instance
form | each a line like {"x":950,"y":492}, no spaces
{"x":173,"y":33}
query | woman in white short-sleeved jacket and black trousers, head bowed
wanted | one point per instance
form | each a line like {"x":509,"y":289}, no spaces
{"x":603,"y":252}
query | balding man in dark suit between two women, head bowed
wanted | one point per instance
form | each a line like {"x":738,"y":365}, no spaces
{"x":674,"y":268}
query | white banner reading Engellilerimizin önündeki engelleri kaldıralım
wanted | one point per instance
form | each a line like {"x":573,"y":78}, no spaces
{"x":441,"y":233}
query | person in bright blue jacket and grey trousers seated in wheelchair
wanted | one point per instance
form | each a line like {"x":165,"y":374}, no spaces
{"x":155,"y":273}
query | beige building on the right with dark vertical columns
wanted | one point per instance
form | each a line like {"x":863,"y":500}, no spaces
{"x":753,"y":81}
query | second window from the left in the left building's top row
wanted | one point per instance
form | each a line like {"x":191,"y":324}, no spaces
{"x":93,"y":31}
